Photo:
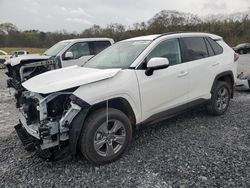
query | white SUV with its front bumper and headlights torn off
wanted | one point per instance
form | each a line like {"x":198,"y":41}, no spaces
{"x":136,"y":81}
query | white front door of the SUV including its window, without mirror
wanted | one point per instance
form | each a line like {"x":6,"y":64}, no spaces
{"x":166,"y":88}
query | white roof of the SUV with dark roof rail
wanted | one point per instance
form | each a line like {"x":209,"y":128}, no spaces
{"x":178,"y":34}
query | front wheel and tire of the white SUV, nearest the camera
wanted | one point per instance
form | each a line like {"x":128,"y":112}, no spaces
{"x":99,"y":142}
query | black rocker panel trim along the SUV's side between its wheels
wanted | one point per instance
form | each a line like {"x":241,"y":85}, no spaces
{"x":173,"y":112}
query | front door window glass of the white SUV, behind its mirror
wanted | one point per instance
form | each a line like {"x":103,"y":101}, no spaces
{"x":167,"y":49}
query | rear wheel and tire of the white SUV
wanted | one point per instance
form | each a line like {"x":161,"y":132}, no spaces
{"x":220,"y":99}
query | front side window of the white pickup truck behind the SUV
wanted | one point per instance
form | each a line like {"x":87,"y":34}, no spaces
{"x":79,"y":49}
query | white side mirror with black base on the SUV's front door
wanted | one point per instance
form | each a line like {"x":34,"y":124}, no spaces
{"x":156,"y":63}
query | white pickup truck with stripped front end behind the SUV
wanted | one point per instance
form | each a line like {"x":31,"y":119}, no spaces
{"x":63,"y":54}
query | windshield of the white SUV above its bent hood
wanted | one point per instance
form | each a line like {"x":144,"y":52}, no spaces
{"x":119,"y":55}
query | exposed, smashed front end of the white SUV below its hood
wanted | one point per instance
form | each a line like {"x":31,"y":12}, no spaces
{"x":47,"y":122}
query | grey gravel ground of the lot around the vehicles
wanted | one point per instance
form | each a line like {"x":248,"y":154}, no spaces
{"x":191,"y":150}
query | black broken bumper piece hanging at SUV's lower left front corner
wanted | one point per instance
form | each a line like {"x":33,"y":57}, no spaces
{"x":25,"y":138}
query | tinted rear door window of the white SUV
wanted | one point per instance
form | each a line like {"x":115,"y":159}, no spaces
{"x":195,"y":48}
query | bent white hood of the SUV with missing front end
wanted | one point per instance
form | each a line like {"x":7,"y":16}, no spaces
{"x":66,"y":78}
